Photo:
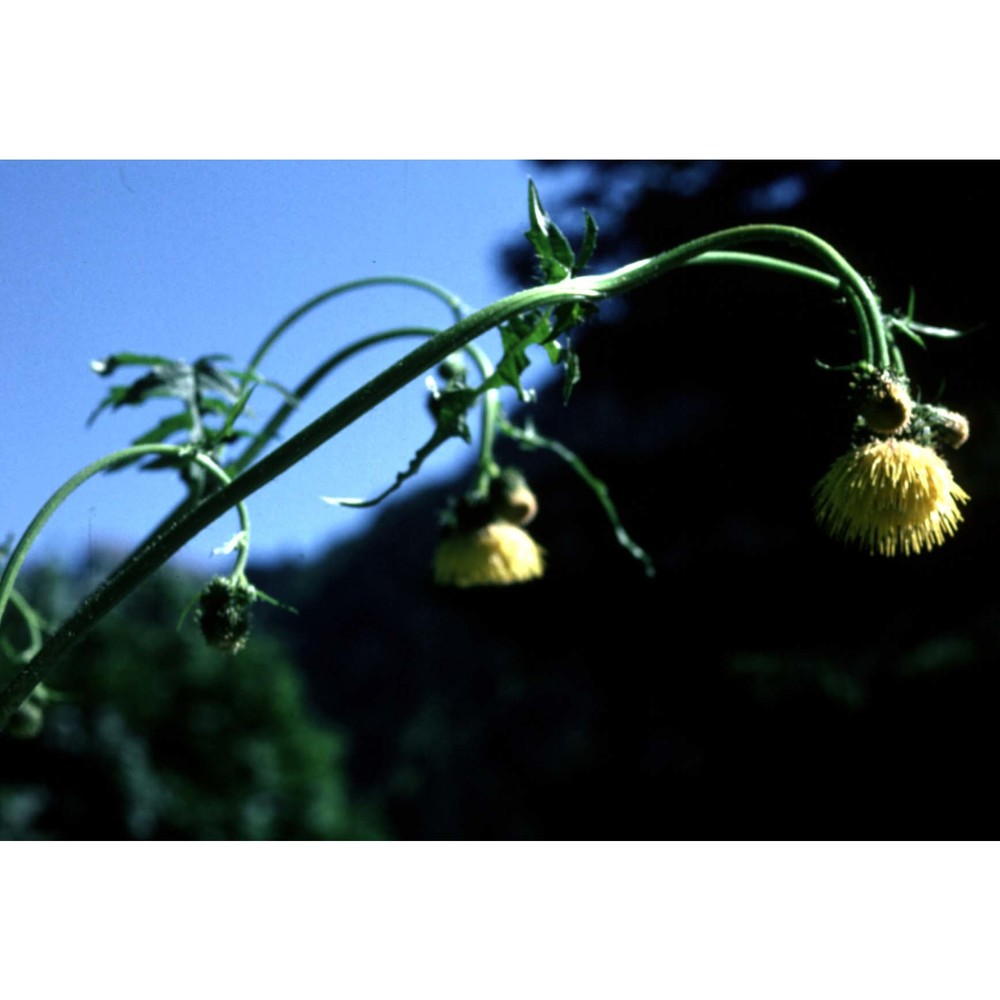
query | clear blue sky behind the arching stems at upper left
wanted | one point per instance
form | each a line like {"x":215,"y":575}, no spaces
{"x":190,"y":258}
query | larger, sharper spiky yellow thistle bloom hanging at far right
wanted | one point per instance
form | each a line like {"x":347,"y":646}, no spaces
{"x":890,"y":496}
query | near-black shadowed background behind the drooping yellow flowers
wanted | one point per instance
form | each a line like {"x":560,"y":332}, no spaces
{"x":769,"y":682}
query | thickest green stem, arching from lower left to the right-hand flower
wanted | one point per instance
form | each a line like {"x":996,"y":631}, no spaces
{"x":182,"y":528}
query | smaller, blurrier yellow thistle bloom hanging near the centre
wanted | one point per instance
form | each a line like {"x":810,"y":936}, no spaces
{"x":498,"y":553}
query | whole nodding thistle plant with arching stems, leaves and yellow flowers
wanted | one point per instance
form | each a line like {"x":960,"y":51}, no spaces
{"x":891,"y":493}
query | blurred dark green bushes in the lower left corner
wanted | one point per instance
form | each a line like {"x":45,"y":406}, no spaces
{"x":154,"y":736}
